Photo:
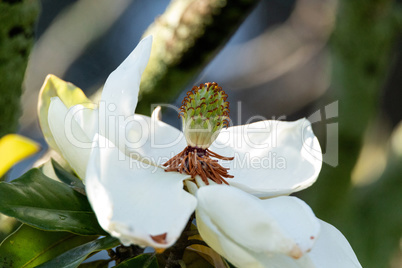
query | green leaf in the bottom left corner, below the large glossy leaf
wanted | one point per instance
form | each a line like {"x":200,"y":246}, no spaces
{"x":29,"y":247}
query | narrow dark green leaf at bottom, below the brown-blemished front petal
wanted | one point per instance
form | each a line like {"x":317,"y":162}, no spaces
{"x":75,"y":256}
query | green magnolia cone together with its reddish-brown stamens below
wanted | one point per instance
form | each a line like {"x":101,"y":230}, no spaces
{"x":205,"y":112}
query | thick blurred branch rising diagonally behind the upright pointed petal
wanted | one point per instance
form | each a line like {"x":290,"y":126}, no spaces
{"x":207,"y":25}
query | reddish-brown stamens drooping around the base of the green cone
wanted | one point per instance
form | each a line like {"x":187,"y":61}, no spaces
{"x":197,"y":161}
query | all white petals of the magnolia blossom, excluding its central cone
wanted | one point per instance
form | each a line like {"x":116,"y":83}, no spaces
{"x":252,"y":222}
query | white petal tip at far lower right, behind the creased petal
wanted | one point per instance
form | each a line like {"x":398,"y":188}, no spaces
{"x":332,"y":250}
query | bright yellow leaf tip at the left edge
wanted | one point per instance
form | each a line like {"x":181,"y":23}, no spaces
{"x":14,"y":148}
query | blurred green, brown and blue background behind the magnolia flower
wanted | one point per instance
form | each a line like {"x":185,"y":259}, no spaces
{"x":336,"y":62}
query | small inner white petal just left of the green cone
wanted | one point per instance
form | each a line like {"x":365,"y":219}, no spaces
{"x":151,"y":139}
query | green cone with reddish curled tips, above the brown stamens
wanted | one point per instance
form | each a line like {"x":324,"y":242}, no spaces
{"x":205,"y":112}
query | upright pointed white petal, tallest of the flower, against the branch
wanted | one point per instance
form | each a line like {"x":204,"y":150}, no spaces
{"x":122,"y":86}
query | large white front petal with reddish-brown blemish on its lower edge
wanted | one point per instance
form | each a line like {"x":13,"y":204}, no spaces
{"x":134,"y":201}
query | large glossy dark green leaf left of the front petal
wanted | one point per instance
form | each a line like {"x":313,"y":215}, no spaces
{"x":39,"y":201}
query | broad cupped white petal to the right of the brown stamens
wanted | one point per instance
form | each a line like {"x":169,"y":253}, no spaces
{"x":271,"y":157}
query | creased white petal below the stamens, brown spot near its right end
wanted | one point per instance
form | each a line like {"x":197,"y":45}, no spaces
{"x":248,"y":231}
